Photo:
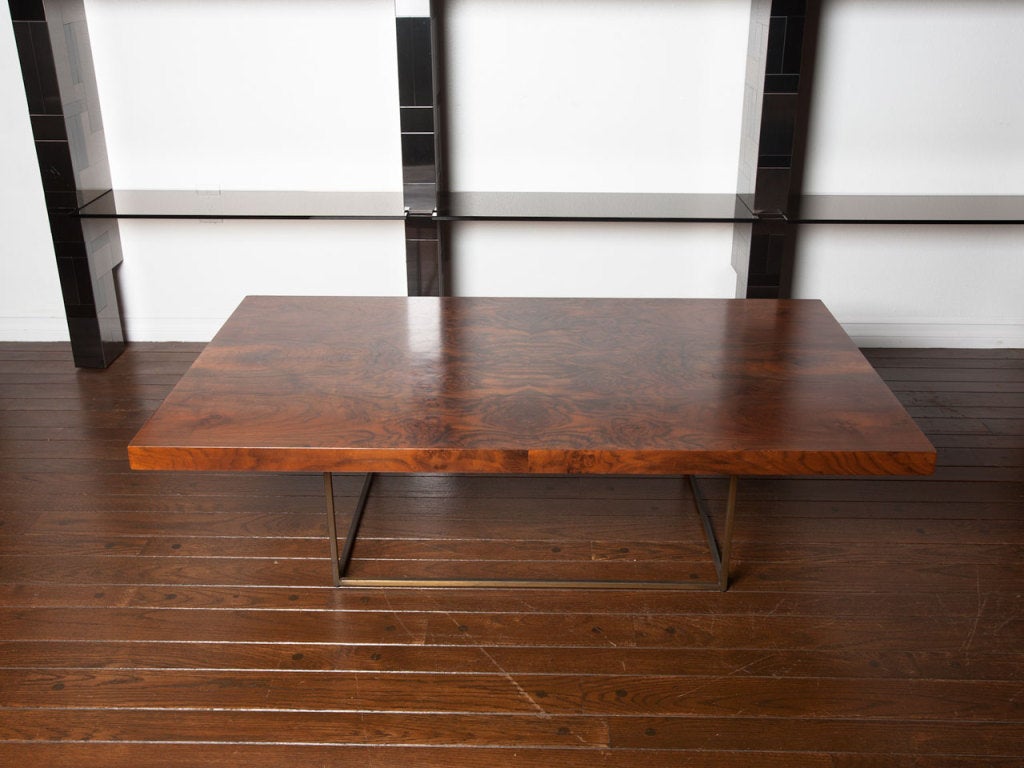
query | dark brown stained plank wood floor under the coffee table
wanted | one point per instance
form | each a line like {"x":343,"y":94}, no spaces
{"x":184,"y":620}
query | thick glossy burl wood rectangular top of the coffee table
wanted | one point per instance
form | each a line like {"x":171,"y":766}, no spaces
{"x":477,"y":386}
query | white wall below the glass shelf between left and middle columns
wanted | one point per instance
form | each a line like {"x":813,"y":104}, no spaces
{"x":181,"y":280}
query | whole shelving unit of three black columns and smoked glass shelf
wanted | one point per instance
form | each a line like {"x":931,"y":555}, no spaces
{"x":767,"y":209}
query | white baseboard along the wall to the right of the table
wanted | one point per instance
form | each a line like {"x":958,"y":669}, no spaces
{"x":963,"y":335}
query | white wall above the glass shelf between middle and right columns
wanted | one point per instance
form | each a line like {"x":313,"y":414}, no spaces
{"x":559,"y":96}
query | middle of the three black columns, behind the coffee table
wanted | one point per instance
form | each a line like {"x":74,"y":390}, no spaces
{"x":420,"y":73}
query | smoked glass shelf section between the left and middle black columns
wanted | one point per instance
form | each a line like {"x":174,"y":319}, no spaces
{"x":184,"y":204}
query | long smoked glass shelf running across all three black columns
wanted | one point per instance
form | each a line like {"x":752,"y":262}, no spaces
{"x":494,"y":206}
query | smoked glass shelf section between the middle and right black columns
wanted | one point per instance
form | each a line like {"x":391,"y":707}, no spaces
{"x":468,"y":206}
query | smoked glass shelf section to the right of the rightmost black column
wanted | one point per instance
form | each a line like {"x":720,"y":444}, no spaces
{"x":913,"y":209}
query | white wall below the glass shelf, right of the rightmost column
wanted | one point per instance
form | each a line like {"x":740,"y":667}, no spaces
{"x":919,"y":286}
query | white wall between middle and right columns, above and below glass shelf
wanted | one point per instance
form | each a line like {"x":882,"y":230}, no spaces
{"x":625,"y":98}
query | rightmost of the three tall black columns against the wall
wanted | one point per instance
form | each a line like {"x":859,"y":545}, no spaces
{"x":788,"y":83}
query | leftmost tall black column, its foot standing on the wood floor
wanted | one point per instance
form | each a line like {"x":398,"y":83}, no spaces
{"x":61,"y":86}
